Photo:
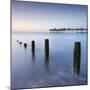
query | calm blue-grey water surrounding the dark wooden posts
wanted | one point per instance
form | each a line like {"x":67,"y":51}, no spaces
{"x":30,"y":71}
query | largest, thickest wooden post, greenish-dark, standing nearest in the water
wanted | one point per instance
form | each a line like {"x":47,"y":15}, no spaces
{"x":77,"y":57}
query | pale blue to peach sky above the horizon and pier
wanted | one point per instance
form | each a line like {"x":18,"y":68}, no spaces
{"x":40,"y":17}
